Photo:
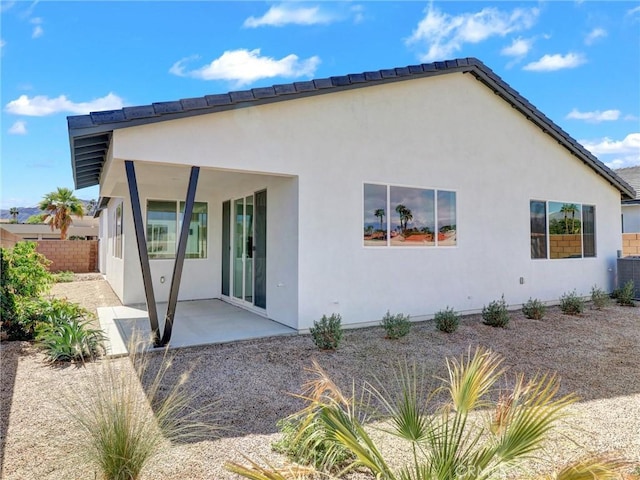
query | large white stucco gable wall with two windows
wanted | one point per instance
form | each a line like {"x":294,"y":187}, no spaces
{"x":448,"y":132}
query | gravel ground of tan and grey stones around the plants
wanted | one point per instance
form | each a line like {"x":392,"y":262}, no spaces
{"x":596,"y":355}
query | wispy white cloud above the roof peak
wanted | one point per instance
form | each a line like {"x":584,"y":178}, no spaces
{"x":443,"y":34}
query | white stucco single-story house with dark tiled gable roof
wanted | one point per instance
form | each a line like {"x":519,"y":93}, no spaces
{"x":409,"y":190}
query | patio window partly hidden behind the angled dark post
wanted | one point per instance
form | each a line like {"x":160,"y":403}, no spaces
{"x":164,"y":220}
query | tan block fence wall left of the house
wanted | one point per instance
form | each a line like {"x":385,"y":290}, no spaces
{"x":79,"y":256}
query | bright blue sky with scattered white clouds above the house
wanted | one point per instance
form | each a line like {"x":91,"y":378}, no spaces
{"x":578,"y":62}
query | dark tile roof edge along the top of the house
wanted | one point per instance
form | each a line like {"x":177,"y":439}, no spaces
{"x":90,"y":135}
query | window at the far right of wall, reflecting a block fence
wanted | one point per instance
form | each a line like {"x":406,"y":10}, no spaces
{"x":562,"y":230}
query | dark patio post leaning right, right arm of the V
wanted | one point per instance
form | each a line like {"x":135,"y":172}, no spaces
{"x":180,"y":254}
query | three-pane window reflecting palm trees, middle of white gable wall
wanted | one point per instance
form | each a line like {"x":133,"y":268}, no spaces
{"x":408,"y":217}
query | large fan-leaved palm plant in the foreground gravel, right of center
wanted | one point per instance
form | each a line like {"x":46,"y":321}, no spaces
{"x":450,"y":440}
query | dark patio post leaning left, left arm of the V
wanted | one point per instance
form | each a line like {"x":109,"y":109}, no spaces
{"x":142,"y":250}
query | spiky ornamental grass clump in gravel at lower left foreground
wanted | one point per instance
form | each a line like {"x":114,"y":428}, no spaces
{"x":127,"y":415}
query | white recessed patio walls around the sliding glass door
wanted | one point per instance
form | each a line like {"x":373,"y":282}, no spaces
{"x":201,"y":278}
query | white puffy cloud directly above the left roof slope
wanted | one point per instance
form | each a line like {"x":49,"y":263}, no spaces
{"x":246,"y":66}
